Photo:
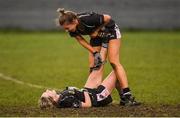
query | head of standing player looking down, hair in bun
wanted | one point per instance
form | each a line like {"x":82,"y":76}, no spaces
{"x":67,"y":19}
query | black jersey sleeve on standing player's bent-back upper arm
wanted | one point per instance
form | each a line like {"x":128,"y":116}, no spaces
{"x":94,"y":19}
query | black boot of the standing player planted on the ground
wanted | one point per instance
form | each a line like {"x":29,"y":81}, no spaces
{"x":128,"y":100}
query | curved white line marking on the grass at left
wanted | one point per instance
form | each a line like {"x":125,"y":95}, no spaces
{"x":2,"y":76}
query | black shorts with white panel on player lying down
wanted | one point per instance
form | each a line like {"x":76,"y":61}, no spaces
{"x":99,"y":96}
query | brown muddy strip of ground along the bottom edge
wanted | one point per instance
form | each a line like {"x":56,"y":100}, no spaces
{"x":112,"y":110}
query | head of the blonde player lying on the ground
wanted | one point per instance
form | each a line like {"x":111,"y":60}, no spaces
{"x":48,"y":99}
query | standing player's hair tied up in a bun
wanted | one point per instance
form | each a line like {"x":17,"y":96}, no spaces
{"x":66,"y":16}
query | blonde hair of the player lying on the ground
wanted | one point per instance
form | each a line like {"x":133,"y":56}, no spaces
{"x":46,"y":102}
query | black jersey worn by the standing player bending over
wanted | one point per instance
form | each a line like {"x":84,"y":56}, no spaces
{"x":89,"y":22}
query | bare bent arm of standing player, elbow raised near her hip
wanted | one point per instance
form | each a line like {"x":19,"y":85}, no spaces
{"x":107,"y":18}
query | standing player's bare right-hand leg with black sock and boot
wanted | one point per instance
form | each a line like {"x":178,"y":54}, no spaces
{"x":113,"y":54}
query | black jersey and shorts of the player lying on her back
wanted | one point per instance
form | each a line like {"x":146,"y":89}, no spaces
{"x":72,"y":98}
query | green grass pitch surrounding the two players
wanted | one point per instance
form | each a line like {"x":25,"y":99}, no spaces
{"x":52,"y":59}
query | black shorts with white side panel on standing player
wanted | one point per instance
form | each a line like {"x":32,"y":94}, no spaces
{"x":113,"y":33}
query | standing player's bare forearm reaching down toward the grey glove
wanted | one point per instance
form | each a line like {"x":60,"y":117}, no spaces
{"x":85,"y":44}
